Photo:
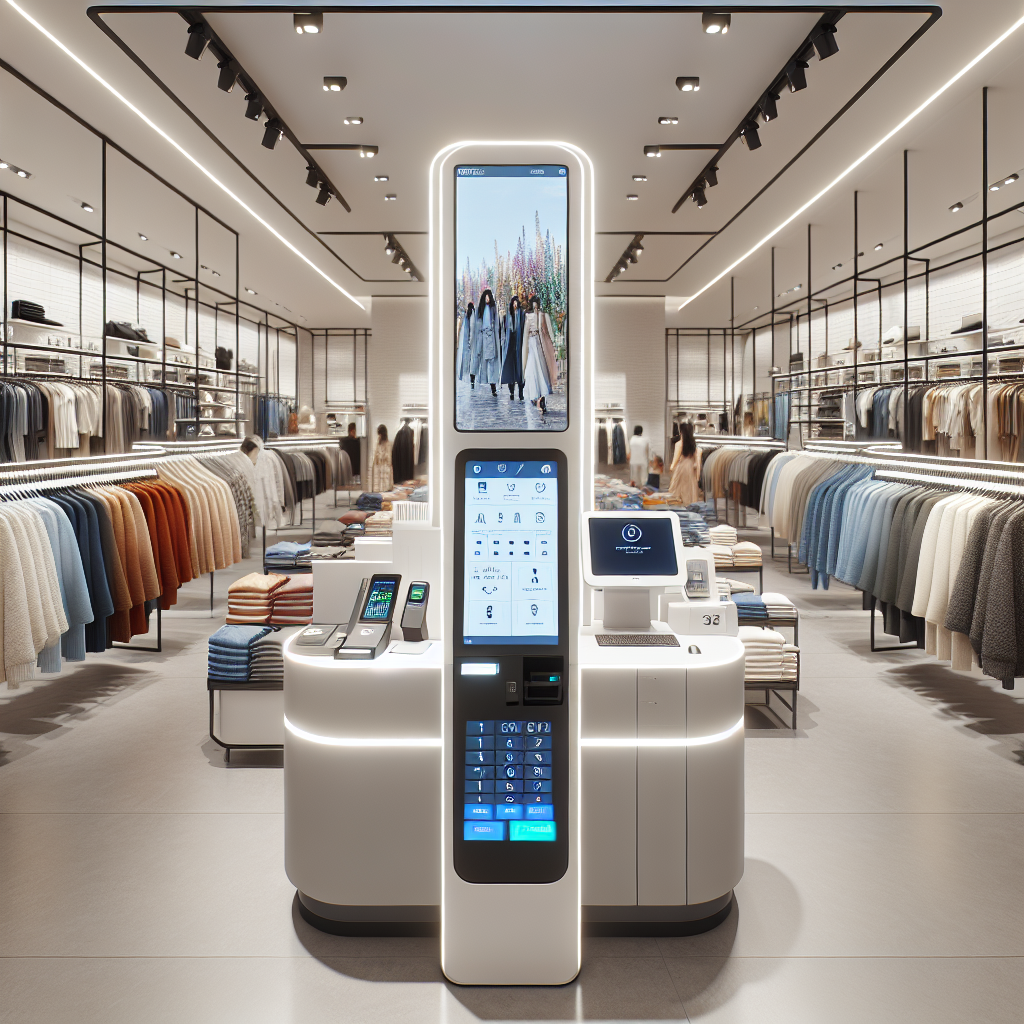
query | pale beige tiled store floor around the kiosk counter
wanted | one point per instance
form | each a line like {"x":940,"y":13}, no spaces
{"x":141,"y":881}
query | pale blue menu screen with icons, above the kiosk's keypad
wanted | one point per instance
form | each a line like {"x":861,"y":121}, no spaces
{"x":510,"y":590}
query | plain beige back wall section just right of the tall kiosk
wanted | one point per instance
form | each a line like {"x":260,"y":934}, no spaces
{"x":630,"y":362}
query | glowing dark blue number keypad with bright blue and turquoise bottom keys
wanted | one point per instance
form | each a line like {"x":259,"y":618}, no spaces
{"x":509,"y":783}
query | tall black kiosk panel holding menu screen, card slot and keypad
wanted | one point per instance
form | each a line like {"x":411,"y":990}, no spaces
{"x":511,"y":711}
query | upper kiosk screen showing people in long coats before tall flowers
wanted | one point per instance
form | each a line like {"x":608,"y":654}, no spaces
{"x":511,"y":297}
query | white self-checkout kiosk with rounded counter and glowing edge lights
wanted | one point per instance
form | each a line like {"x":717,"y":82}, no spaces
{"x":564,"y":748}
